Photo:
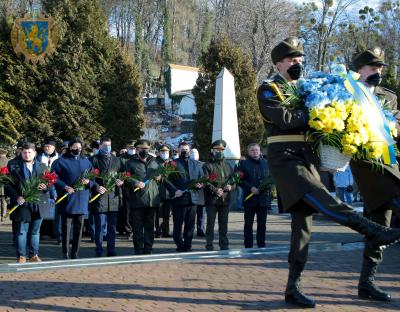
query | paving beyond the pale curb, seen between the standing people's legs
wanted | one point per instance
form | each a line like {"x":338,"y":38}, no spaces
{"x":278,"y":234}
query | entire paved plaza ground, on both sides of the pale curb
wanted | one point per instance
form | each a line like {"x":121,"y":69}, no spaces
{"x":199,"y":281}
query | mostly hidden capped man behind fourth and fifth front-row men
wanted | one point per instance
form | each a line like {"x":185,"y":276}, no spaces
{"x":165,"y":198}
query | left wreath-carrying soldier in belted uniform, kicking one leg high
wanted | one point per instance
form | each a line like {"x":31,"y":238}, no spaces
{"x":293,"y":167}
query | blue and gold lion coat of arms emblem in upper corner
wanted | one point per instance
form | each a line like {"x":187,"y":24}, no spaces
{"x":35,"y":38}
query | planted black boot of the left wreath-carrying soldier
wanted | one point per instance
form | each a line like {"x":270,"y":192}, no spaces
{"x":293,"y":293}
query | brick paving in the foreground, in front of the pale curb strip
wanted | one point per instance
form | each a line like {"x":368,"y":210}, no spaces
{"x":244,"y":284}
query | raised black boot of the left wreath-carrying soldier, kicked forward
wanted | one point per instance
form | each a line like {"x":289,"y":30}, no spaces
{"x":378,"y":235}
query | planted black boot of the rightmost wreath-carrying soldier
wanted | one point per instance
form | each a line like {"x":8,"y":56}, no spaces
{"x":366,"y":287}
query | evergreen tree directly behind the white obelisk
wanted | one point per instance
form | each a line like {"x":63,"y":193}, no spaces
{"x":222,"y":54}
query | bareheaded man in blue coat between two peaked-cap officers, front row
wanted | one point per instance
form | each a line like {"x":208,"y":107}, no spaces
{"x":185,"y":201}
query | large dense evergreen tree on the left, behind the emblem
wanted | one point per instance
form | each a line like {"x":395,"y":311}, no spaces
{"x":69,"y":94}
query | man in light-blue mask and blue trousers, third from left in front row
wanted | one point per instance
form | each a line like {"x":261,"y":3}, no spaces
{"x":105,"y":208}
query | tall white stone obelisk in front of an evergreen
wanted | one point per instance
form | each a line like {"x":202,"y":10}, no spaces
{"x":225,"y":125}
